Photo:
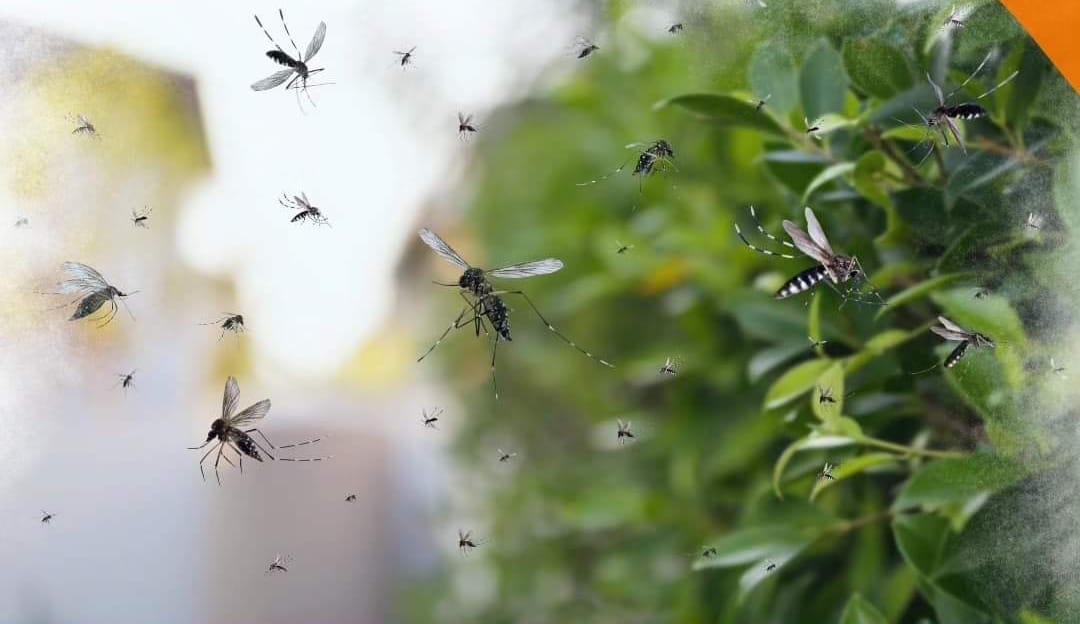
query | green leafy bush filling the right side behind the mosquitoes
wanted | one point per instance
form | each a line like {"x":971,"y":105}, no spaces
{"x":723,"y":480}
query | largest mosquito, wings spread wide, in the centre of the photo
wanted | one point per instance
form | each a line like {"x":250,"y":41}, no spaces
{"x":484,"y":302}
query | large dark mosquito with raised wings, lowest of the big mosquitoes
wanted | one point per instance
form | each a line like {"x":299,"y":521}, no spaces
{"x":233,"y":431}
